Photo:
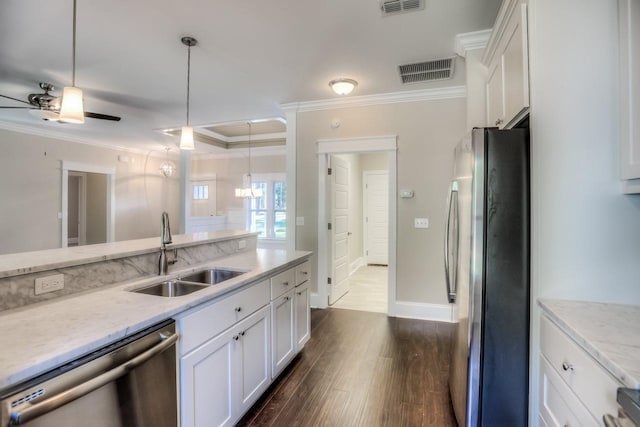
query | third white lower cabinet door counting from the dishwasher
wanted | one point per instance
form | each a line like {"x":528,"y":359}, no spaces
{"x":282,"y":332}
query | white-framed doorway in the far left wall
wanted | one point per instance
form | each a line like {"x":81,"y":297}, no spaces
{"x":88,"y":208}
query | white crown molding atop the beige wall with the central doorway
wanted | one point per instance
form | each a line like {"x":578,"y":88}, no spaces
{"x":379,"y":99}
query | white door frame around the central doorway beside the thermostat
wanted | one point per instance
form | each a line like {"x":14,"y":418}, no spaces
{"x":361,"y":145}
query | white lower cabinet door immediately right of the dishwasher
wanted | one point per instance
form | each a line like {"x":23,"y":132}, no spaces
{"x":206,"y":376}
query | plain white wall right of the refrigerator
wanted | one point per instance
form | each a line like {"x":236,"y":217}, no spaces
{"x":585,"y":233}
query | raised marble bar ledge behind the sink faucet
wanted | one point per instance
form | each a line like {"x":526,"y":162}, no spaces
{"x":50,"y":259}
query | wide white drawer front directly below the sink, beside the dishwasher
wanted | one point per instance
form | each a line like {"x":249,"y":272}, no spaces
{"x":205,"y":323}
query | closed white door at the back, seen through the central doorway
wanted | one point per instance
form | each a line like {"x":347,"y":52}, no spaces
{"x":377,"y":217}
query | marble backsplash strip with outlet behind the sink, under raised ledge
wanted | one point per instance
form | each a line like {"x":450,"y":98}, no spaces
{"x":18,"y":291}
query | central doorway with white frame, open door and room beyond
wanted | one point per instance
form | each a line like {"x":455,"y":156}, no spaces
{"x":384,"y":149}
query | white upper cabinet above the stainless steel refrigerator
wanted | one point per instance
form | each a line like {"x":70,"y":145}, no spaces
{"x":507,"y":60}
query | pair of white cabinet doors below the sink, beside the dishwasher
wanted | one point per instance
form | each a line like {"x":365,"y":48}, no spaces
{"x":223,"y":377}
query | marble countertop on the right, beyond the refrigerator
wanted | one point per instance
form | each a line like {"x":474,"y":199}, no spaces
{"x":608,"y":332}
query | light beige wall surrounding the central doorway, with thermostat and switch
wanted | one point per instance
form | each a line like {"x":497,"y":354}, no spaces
{"x":427,"y":133}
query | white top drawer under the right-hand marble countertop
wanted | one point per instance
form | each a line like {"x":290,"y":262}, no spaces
{"x":591,"y":383}
